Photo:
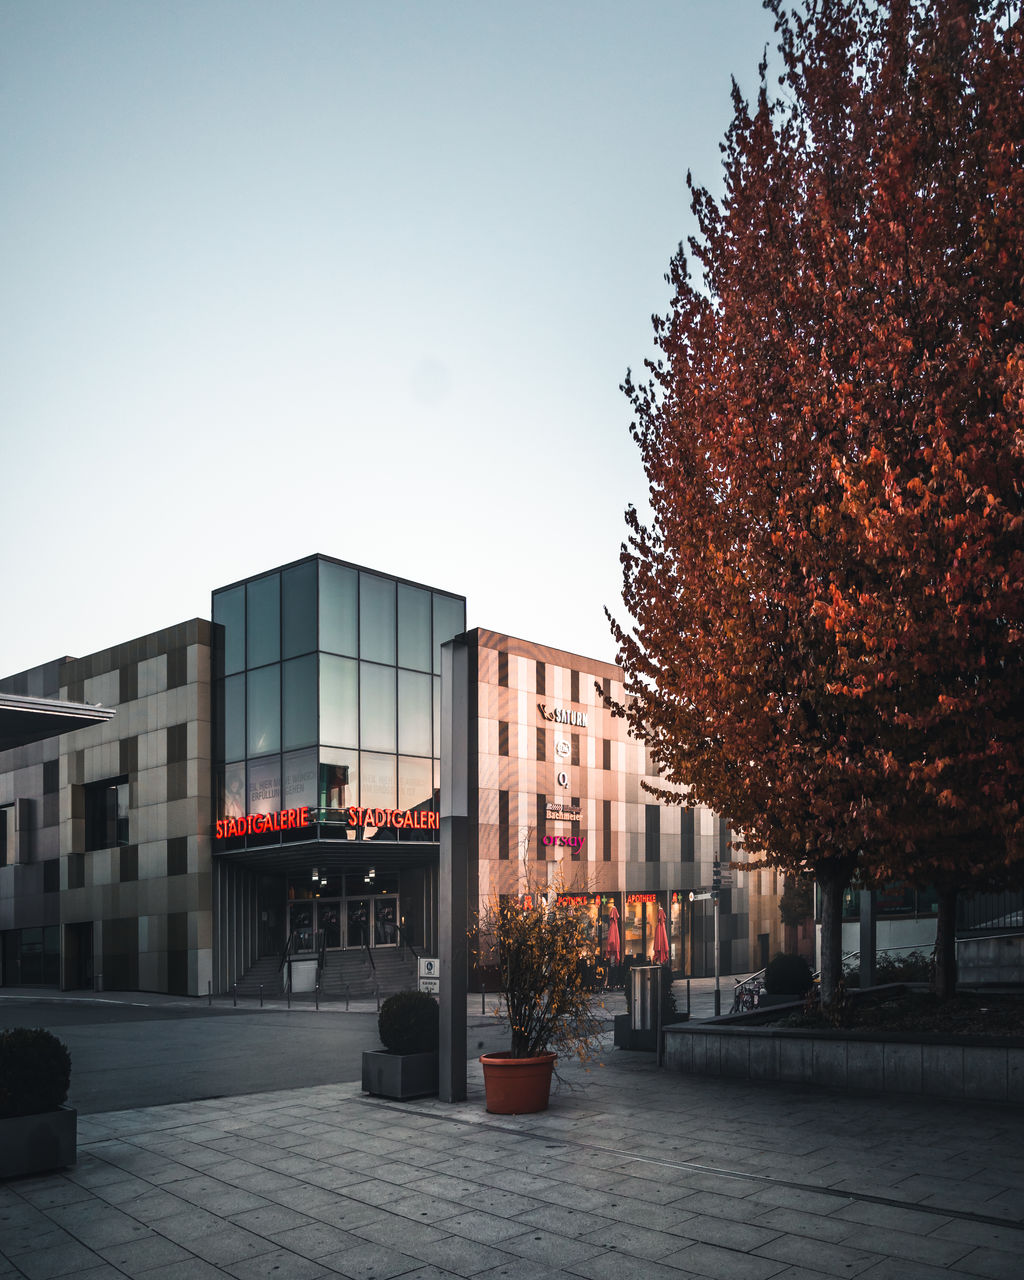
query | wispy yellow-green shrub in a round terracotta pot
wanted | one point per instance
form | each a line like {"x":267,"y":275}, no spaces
{"x":546,"y":957}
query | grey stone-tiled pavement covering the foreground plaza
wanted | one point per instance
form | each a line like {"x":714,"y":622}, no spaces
{"x":632,"y":1173}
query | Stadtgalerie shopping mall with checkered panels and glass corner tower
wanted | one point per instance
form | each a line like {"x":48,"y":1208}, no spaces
{"x":269,"y":784}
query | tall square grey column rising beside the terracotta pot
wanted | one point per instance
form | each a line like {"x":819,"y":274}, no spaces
{"x":454,"y":917}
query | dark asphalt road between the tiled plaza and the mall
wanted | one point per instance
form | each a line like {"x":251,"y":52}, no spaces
{"x":129,"y":1054}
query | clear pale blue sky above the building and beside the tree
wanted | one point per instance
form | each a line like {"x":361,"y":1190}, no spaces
{"x":355,"y":278}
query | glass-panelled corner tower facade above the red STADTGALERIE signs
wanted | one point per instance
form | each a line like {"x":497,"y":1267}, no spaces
{"x":328,"y":693}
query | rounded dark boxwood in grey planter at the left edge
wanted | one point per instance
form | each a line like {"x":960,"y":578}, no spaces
{"x":38,"y":1132}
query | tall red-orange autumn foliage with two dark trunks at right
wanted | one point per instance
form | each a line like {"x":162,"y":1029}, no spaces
{"x":828,"y":597}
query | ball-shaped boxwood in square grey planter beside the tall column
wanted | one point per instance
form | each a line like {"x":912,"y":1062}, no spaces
{"x":408,"y":1066}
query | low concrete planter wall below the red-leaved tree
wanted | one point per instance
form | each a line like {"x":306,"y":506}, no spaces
{"x":990,"y":1071}
